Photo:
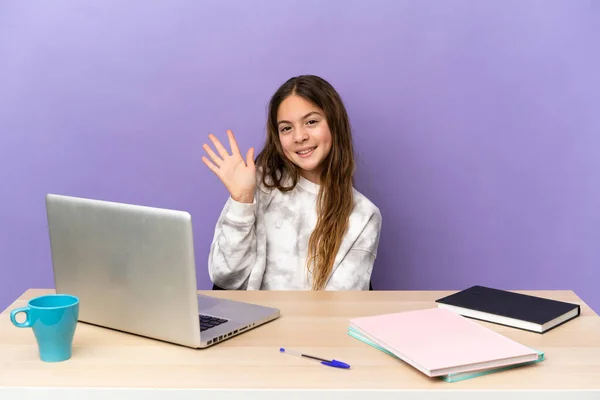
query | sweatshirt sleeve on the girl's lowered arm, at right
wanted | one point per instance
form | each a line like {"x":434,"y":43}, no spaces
{"x":354,"y":271}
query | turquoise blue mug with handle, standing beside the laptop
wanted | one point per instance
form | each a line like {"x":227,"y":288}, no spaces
{"x":53,"y":319}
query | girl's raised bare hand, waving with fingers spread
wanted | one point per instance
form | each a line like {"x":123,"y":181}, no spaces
{"x":239,"y":177}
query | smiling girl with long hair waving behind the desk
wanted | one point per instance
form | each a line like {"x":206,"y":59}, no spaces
{"x":293,"y":219}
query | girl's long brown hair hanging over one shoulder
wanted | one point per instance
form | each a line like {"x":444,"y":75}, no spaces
{"x":335,"y":198}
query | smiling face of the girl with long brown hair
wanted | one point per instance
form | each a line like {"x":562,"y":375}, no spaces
{"x":304,"y":135}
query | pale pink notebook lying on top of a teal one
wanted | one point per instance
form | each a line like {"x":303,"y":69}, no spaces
{"x":438,"y":341}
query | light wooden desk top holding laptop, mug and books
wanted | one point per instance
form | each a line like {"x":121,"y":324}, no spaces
{"x":115,"y":365}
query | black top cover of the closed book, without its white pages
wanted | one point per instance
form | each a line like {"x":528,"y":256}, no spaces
{"x":518,"y":306}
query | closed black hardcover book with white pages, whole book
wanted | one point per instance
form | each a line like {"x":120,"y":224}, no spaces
{"x":512,"y":309}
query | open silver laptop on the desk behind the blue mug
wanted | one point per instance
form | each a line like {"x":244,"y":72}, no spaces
{"x":133,"y":269}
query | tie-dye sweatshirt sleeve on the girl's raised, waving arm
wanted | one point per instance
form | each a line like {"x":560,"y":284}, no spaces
{"x":233,"y":249}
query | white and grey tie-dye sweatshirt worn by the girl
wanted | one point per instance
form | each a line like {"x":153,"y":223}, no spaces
{"x":264,"y":245}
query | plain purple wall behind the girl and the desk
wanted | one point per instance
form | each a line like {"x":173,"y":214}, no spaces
{"x":476,"y":124}
